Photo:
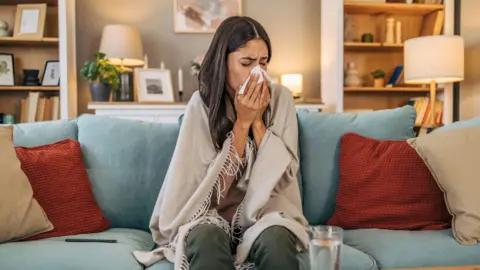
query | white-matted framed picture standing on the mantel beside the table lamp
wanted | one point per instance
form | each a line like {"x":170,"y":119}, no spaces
{"x":154,"y":85}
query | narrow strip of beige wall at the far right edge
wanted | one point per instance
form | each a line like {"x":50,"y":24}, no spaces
{"x":470,"y":87}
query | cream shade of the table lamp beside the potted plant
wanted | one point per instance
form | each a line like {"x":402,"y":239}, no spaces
{"x":122,"y":45}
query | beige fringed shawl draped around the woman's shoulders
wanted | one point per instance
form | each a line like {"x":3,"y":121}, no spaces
{"x":197,"y":170}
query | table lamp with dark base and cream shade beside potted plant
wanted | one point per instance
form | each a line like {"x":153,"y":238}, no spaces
{"x":122,"y":45}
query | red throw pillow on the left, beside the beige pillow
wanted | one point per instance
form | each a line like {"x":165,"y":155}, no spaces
{"x":60,"y":184}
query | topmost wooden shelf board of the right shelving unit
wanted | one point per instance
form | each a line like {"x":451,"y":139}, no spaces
{"x":391,"y":8}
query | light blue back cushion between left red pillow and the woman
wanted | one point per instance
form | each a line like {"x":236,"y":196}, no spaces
{"x":126,"y":163}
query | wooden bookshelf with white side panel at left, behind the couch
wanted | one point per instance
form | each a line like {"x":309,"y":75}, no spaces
{"x":55,"y":43}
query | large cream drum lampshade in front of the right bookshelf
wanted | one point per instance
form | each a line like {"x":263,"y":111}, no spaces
{"x":434,"y":58}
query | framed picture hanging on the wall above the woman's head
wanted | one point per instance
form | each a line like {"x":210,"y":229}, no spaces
{"x":203,"y":16}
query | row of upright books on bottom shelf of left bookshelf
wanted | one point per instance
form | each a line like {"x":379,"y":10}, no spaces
{"x":37,"y":108}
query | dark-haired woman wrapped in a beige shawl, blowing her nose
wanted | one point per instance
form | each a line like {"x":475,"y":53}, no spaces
{"x":231,"y":187}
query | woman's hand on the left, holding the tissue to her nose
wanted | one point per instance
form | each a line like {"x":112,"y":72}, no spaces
{"x":249,"y":104}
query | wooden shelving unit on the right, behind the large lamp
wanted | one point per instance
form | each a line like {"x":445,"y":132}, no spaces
{"x":361,"y":18}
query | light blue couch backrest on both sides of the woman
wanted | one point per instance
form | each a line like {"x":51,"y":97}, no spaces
{"x":127,"y":160}
